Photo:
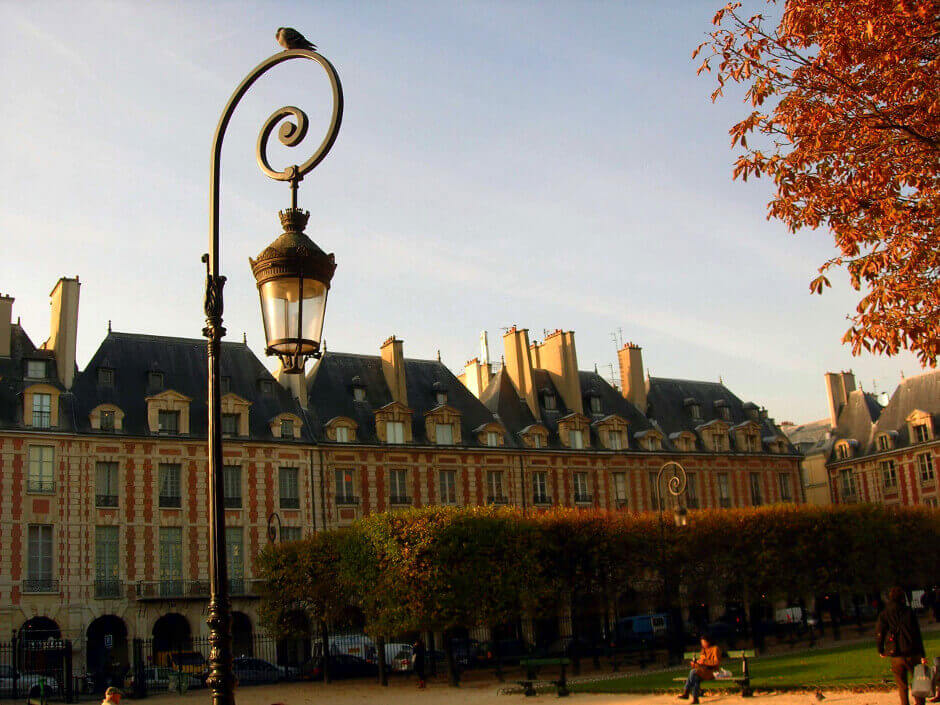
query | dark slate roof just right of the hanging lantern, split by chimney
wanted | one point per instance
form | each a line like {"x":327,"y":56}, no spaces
{"x":330,"y":394}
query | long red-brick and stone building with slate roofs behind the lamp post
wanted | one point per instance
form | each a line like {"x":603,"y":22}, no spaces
{"x":103,"y":501}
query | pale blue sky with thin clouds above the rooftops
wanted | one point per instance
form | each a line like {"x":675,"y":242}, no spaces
{"x":545,"y":164}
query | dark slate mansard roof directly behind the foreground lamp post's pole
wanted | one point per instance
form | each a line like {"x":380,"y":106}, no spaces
{"x":183,"y":364}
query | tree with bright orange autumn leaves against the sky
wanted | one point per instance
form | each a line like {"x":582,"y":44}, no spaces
{"x":845,"y":119}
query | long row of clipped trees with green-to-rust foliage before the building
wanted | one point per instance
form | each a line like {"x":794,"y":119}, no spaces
{"x":441,"y":568}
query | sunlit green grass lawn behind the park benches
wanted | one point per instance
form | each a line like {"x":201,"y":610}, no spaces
{"x":841,"y":667}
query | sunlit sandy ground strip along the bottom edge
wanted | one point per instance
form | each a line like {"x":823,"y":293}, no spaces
{"x":405,"y":693}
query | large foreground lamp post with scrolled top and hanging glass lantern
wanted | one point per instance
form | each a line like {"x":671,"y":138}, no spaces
{"x":293,"y":277}
